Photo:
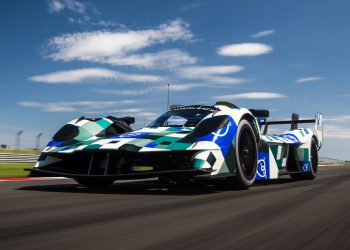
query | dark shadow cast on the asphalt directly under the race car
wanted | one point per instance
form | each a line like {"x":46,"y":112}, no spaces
{"x":150,"y":188}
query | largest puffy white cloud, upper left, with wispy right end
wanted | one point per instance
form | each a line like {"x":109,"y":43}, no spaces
{"x":120,"y":47}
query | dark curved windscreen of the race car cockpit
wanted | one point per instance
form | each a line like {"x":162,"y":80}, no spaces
{"x":188,"y":116}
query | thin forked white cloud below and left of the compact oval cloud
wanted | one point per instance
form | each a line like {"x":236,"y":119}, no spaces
{"x":212,"y":74}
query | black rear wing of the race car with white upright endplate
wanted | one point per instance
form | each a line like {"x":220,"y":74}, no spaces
{"x":294,"y":125}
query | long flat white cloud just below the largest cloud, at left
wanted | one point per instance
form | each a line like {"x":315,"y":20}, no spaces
{"x":93,"y":74}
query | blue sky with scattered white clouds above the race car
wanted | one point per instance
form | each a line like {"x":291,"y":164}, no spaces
{"x":61,"y":59}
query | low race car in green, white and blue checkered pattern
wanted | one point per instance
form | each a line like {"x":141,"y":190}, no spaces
{"x":196,"y":142}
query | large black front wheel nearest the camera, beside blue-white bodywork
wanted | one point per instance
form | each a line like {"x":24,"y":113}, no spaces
{"x":246,"y":155}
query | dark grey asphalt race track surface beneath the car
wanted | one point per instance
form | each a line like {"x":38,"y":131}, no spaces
{"x":284,"y":214}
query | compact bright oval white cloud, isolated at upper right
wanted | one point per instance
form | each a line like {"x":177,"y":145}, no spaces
{"x":244,"y":49}
